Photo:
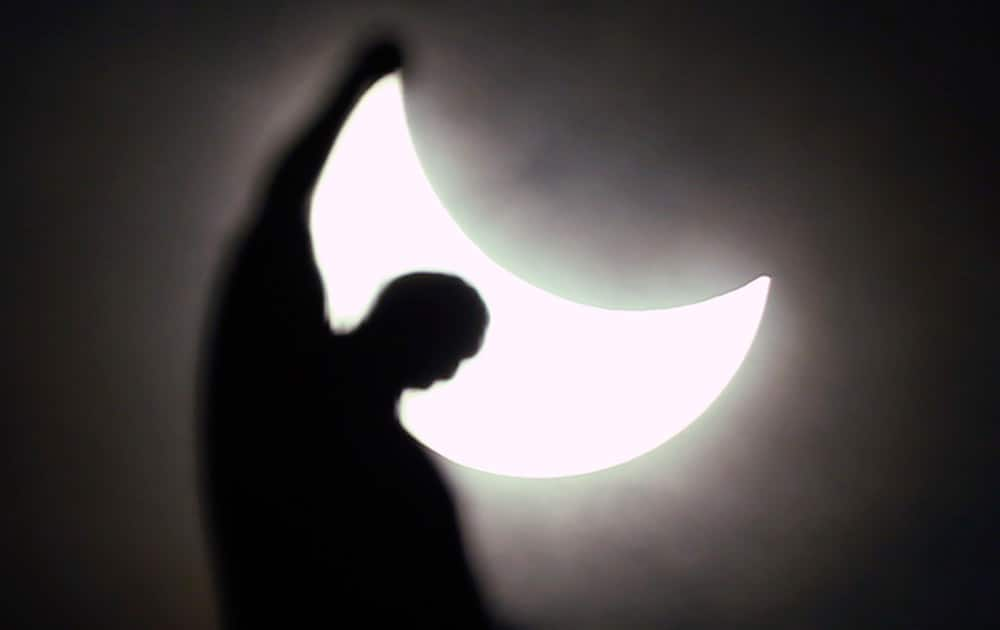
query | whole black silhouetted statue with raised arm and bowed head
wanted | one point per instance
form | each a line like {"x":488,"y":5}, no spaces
{"x":321,"y":509}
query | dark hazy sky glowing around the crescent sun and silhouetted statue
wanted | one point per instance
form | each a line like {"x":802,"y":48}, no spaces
{"x":623,"y":156}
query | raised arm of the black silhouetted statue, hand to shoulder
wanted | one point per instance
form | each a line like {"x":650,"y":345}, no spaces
{"x":272,"y":298}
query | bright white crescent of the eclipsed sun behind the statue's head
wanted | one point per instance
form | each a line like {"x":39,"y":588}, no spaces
{"x":559,"y":388}
